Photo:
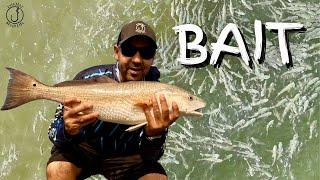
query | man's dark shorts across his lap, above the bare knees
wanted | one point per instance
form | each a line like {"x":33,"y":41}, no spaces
{"x":122,"y":167}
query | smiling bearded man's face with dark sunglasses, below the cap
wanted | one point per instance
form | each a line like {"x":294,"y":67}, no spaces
{"x":133,"y":64}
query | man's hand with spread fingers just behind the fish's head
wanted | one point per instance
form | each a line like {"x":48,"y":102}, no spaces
{"x":159,"y":121}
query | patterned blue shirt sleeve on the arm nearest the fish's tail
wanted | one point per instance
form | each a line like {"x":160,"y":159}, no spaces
{"x":57,"y":134}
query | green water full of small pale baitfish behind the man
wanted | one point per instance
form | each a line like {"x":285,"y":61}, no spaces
{"x":253,"y":128}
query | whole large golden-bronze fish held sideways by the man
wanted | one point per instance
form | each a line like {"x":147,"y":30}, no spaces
{"x":115,"y":102}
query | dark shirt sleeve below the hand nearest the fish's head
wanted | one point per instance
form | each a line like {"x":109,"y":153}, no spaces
{"x":152,"y":148}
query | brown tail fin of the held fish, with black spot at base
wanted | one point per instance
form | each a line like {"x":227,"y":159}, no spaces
{"x":22,"y":88}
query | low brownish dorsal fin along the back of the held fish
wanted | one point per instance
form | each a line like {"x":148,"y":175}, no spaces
{"x":94,"y":80}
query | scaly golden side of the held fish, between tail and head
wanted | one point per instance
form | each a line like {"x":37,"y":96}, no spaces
{"x":115,"y":101}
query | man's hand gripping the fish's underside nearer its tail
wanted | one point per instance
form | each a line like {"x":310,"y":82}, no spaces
{"x":75,"y":116}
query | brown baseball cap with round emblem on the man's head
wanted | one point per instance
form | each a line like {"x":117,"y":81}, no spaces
{"x":137,"y":28}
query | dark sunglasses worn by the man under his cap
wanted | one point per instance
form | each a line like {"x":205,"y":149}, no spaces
{"x":145,"y":52}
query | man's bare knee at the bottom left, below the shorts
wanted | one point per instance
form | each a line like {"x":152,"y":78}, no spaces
{"x":62,"y":170}
